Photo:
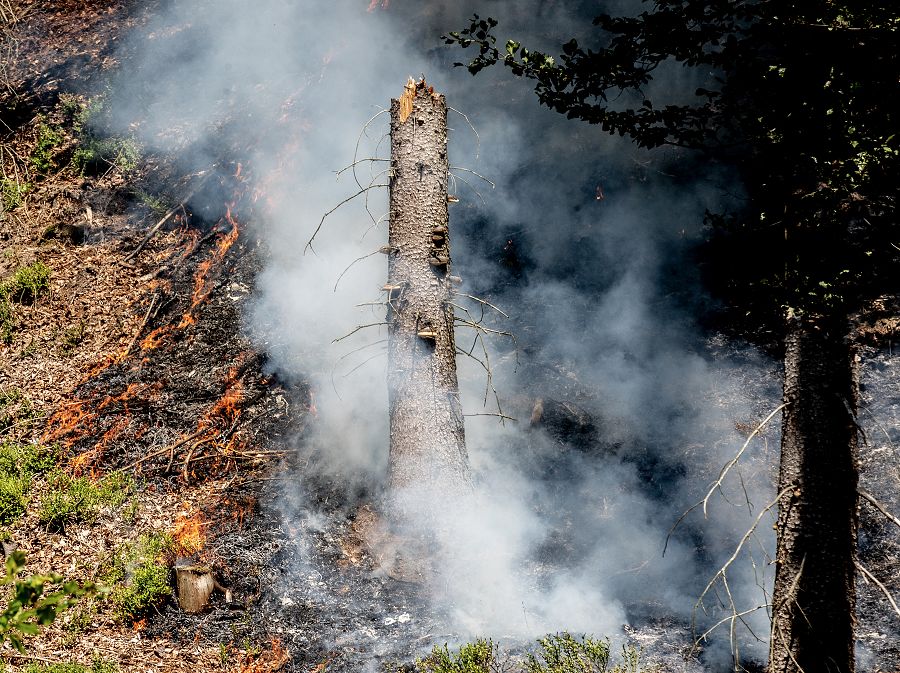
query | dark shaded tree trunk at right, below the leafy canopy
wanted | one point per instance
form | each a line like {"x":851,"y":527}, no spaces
{"x":814,"y":597}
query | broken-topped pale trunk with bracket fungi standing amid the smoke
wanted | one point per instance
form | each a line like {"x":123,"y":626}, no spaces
{"x":428,"y":460}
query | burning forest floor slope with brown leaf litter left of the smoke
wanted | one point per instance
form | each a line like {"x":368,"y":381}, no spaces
{"x":124,"y":357}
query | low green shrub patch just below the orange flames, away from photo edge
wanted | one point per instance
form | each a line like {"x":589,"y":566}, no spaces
{"x":72,"y":499}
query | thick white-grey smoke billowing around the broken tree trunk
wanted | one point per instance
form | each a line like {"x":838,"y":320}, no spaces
{"x":291,"y":84}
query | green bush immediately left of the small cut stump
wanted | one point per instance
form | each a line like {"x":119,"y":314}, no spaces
{"x":140,"y":575}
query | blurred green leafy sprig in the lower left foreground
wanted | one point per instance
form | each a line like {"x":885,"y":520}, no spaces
{"x":31,"y":606}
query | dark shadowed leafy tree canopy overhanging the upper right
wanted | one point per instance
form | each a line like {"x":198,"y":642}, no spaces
{"x":801,"y":96}
